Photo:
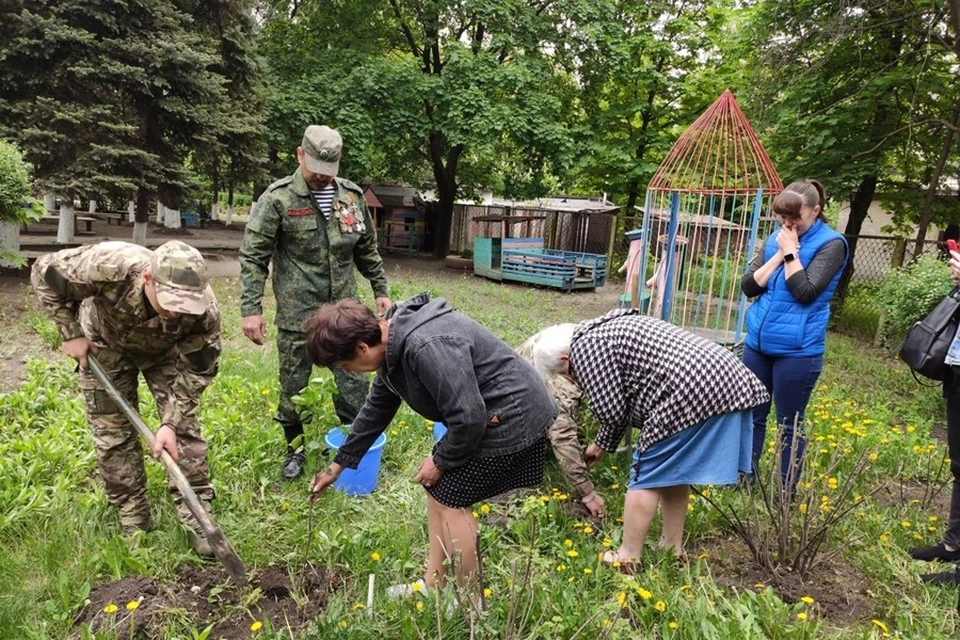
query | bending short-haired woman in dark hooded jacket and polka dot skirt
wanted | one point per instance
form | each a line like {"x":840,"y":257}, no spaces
{"x":447,"y":368}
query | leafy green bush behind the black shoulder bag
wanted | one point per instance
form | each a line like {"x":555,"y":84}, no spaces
{"x":908,"y":294}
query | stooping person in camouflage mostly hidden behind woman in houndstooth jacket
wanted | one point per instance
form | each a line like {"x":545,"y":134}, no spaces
{"x":564,"y":434}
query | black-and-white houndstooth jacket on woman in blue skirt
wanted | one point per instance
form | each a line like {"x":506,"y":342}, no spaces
{"x":642,"y":372}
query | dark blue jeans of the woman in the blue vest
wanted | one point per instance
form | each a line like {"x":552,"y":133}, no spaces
{"x":790,"y":382}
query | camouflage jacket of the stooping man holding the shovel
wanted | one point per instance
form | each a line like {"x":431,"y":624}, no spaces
{"x":97,"y":291}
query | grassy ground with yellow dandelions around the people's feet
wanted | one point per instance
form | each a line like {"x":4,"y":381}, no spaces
{"x":59,"y":542}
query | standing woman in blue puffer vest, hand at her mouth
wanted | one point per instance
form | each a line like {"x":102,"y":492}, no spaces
{"x":792,"y":280}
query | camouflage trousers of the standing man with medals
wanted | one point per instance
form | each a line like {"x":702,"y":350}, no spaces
{"x":295,"y":371}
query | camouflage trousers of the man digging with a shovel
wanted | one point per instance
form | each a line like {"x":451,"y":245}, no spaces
{"x":117,"y":444}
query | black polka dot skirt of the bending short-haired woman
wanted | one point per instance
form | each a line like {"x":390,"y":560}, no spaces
{"x":482,"y":478}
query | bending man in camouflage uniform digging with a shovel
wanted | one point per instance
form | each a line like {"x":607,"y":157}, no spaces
{"x":139,"y":311}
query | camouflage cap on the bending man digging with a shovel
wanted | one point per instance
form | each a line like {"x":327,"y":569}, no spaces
{"x":180,"y":275}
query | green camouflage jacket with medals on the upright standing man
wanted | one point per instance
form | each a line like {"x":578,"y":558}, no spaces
{"x":313,"y":257}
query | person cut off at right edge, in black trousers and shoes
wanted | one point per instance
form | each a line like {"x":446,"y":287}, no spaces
{"x":948,"y":549}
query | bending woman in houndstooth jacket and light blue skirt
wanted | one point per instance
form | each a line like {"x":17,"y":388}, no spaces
{"x":691,"y":399}
